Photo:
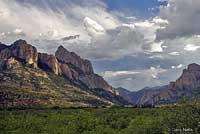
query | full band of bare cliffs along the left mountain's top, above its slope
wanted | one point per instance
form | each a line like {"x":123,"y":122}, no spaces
{"x":65,"y":63}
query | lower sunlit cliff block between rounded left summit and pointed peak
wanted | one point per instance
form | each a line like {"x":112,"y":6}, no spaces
{"x":49,"y":62}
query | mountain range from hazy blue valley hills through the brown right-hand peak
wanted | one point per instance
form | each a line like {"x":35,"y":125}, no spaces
{"x":187,"y":85}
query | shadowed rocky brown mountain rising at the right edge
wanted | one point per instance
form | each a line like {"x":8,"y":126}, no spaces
{"x":187,"y":85}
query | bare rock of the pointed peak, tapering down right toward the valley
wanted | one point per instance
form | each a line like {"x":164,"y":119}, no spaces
{"x":78,"y":69}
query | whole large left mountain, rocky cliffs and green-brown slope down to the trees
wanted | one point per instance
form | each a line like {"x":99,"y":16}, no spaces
{"x":30,"y":78}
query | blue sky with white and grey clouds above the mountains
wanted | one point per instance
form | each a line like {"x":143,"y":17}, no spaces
{"x":131,"y":43}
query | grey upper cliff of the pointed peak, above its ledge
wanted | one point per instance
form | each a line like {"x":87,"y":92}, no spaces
{"x":65,"y":56}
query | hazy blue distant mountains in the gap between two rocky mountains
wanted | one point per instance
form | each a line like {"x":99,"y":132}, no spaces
{"x":139,"y":97}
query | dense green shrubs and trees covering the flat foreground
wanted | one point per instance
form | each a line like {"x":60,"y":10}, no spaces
{"x":166,"y":120}
